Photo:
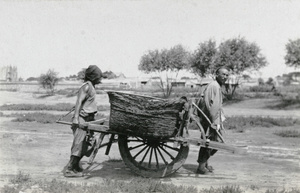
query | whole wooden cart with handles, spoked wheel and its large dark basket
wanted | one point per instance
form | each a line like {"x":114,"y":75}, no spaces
{"x":151,"y":133}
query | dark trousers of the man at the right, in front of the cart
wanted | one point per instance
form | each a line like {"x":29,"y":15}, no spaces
{"x":205,"y":153}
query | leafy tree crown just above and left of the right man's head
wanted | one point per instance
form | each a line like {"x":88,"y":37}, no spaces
{"x":202,"y":61}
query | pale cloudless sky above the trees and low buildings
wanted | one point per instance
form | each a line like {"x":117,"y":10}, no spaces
{"x":68,"y":35}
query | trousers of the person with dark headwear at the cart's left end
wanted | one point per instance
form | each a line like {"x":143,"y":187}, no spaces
{"x":81,"y":145}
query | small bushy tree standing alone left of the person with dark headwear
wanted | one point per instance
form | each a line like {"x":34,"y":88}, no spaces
{"x":49,"y":80}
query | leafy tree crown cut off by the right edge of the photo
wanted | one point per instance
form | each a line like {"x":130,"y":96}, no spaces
{"x":292,"y":57}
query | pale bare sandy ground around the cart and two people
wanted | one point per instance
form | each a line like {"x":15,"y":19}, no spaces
{"x":42,"y":150}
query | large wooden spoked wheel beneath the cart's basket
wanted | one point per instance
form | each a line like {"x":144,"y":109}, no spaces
{"x":151,"y":157}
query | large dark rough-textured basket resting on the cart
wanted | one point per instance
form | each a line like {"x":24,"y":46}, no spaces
{"x":143,"y":116}
